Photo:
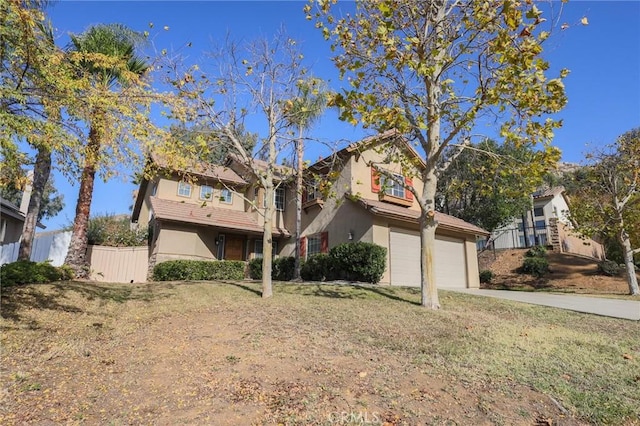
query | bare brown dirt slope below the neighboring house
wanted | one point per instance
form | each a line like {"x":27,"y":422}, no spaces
{"x":567,"y":273}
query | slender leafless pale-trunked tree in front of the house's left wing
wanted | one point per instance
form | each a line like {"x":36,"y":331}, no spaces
{"x":253,"y":81}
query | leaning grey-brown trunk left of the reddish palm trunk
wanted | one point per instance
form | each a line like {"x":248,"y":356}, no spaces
{"x":41,"y":172}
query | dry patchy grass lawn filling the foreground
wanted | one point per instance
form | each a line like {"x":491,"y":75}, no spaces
{"x":216,"y":353}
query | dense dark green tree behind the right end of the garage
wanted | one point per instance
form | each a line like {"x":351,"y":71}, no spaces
{"x":488,"y":185}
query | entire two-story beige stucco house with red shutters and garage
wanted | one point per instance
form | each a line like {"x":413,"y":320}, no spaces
{"x":218,"y":214}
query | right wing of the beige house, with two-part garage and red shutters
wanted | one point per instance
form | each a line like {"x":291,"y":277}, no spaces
{"x":364,"y":206}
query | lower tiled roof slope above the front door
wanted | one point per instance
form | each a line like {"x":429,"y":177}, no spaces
{"x":204,"y":215}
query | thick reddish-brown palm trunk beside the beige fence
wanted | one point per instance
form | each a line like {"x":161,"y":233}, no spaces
{"x":76,"y":256}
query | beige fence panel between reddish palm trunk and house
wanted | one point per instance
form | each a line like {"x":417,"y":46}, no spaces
{"x":118,"y":264}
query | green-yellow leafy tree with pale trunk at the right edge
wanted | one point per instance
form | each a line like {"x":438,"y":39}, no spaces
{"x":605,"y":198}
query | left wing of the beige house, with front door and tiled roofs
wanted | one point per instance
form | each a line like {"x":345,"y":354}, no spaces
{"x":215,"y":214}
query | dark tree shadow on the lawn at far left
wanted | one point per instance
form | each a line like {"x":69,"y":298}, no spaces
{"x":54,"y":296}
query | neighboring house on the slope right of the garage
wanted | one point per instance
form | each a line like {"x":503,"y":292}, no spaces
{"x":547,"y":223}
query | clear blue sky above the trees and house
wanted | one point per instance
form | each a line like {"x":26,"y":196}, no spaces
{"x":603,"y":87}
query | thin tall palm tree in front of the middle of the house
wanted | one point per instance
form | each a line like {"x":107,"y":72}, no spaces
{"x":304,"y":110}
